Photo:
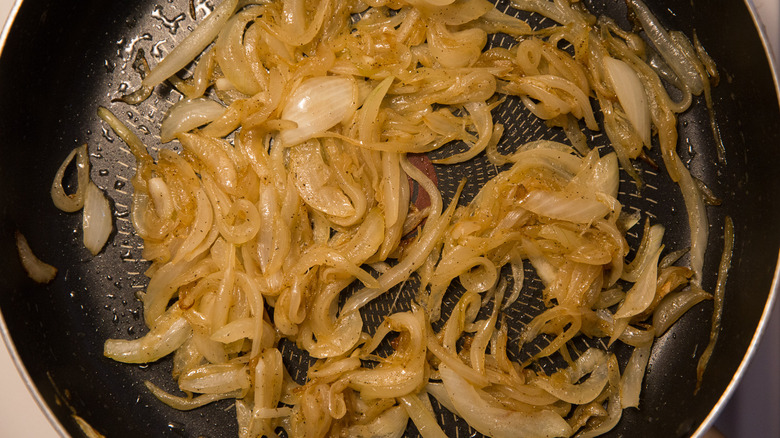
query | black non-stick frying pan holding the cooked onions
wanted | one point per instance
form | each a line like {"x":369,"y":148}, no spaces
{"x":61,"y":59}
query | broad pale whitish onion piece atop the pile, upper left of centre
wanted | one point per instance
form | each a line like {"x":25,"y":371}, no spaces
{"x":317,"y":105}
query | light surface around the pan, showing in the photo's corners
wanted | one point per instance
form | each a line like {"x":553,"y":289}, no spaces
{"x":752,"y":410}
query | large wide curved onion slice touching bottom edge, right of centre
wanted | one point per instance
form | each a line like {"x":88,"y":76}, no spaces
{"x":497,"y":422}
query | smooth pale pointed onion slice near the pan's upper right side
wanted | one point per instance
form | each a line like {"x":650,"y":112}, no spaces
{"x":631,"y":95}
